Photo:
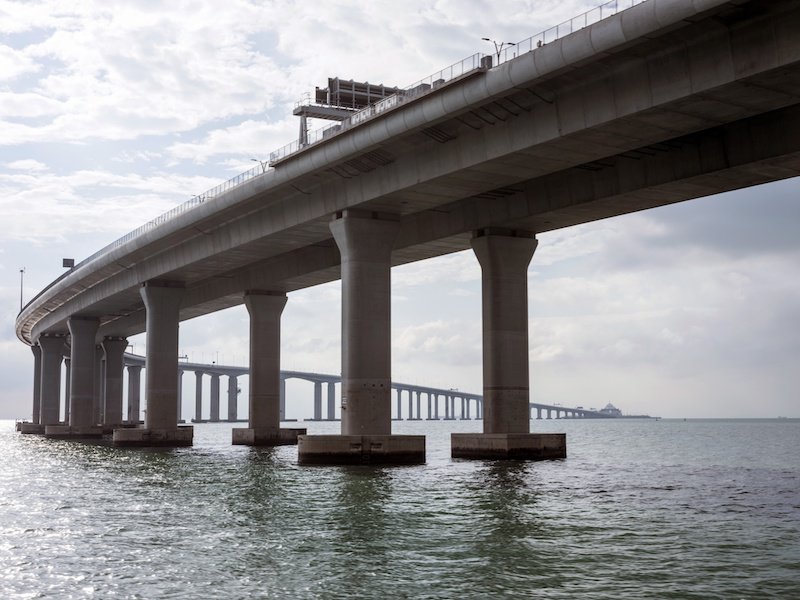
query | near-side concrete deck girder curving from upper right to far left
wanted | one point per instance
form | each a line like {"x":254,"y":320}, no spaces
{"x":183,"y":244}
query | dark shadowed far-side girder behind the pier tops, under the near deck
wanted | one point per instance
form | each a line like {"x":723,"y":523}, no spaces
{"x":728,"y":157}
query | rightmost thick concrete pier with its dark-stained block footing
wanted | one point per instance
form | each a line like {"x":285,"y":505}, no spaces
{"x":504,"y":259}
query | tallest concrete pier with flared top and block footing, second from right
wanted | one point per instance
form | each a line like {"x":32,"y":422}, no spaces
{"x":365,"y":245}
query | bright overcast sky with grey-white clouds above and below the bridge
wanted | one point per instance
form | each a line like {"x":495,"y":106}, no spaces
{"x":113,"y":112}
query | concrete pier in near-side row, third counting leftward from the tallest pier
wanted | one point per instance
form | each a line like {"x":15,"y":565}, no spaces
{"x":82,"y":382}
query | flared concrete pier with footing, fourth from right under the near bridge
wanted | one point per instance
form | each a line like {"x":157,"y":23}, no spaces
{"x":162,"y":301}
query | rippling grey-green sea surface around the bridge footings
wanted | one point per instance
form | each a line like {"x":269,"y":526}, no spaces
{"x":640,"y":509}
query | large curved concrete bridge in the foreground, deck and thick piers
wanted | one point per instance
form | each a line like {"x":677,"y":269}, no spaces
{"x":663,"y":102}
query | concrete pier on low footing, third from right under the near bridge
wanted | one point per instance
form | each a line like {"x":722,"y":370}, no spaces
{"x":267,"y":388}
